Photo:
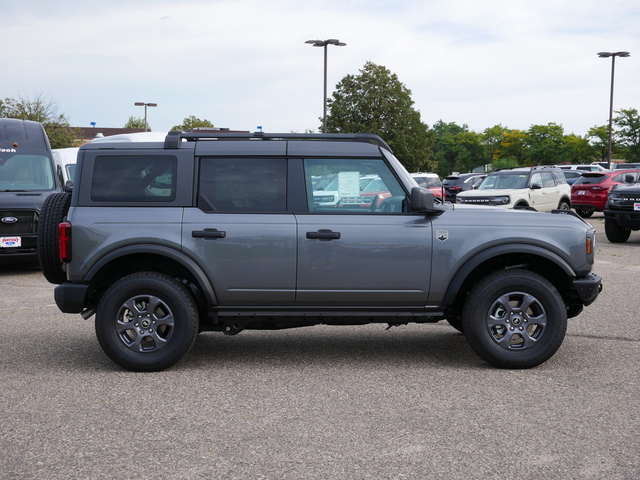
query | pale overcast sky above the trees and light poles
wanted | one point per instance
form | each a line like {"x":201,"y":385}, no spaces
{"x":244,"y":63}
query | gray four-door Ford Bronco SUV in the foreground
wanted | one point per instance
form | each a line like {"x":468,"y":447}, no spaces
{"x":223,"y":232}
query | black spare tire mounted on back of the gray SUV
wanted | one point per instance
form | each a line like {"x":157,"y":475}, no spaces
{"x":54,"y":211}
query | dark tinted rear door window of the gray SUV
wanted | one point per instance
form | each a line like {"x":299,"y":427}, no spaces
{"x":242,"y":185}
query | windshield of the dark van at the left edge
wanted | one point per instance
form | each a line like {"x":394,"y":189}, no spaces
{"x":26,"y":170}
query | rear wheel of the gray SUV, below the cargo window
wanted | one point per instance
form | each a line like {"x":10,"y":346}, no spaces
{"x":146,"y":321}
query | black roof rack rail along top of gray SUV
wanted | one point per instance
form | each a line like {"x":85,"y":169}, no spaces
{"x":173,"y":139}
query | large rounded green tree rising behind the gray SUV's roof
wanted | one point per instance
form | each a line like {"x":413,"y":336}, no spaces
{"x":375,"y":101}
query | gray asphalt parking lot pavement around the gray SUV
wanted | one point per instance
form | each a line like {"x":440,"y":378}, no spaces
{"x":411,"y":402}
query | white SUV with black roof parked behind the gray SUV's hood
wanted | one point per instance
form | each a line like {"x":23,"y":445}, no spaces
{"x":542,"y":188}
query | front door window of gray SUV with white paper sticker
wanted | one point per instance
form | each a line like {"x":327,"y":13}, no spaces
{"x":352,"y":186}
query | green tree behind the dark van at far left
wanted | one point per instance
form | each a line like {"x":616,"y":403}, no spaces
{"x":44,"y":110}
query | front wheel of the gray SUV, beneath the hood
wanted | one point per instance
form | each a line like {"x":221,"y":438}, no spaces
{"x":514,"y":319}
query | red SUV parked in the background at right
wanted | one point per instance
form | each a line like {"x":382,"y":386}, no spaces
{"x":589,"y":192}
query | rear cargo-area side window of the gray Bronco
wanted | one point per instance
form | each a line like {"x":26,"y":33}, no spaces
{"x":135,"y":178}
